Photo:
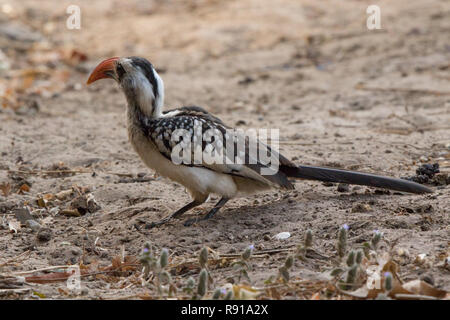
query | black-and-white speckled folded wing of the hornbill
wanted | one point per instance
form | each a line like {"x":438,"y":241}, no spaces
{"x":208,"y":135}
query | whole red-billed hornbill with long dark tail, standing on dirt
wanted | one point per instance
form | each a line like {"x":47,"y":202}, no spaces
{"x":154,"y":135}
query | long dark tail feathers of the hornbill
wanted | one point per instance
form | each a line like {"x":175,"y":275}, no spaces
{"x":353,"y":177}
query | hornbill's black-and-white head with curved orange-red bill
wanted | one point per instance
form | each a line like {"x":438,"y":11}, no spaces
{"x":138,"y":79}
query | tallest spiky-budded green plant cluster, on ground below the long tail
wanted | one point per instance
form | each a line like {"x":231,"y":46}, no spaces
{"x":350,"y":264}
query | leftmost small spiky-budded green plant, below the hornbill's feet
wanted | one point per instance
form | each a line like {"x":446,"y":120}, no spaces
{"x":154,"y":271}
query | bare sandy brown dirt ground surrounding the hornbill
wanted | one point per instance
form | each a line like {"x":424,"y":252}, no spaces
{"x":341,"y":95}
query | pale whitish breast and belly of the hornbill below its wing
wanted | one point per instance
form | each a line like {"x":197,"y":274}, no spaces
{"x":197,"y":180}
